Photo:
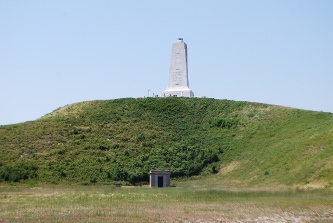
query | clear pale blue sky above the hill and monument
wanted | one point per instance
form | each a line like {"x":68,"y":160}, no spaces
{"x":59,"y":52}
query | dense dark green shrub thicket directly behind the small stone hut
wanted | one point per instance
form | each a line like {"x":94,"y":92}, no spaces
{"x":182,"y":161}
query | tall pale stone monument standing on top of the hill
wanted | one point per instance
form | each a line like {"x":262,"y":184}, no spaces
{"x":178,"y":84}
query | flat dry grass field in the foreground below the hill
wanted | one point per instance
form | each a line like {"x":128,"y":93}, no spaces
{"x":184,"y":203}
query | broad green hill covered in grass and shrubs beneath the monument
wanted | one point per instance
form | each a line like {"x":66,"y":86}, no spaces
{"x":225,"y":142}
